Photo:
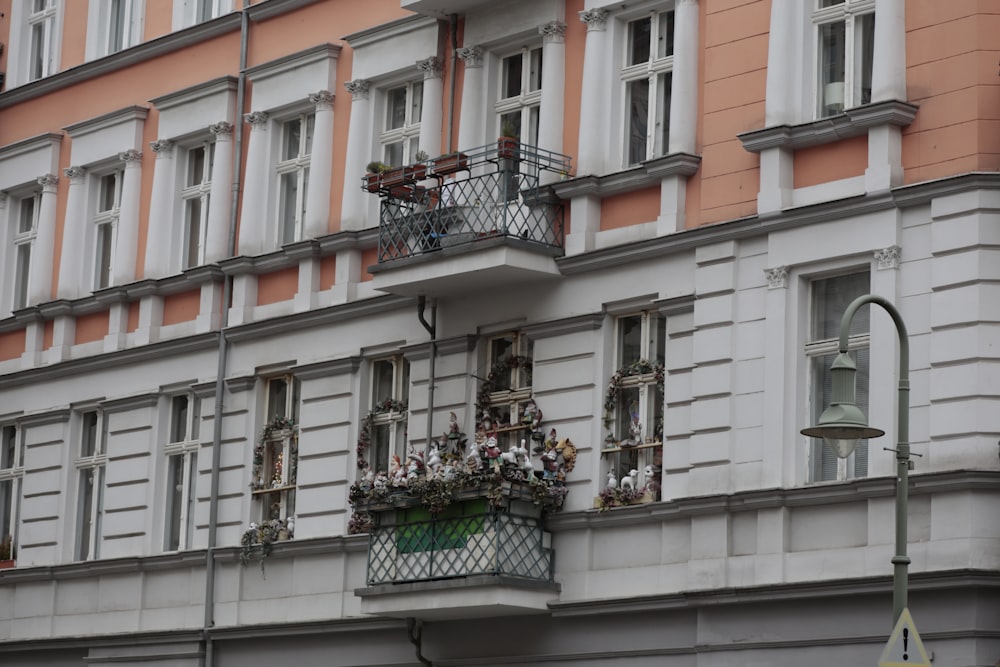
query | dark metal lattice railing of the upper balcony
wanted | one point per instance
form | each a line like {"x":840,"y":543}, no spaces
{"x":490,"y":192}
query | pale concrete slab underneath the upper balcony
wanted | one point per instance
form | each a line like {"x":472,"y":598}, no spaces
{"x":468,"y":268}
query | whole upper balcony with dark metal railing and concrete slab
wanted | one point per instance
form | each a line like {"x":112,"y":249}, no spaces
{"x":460,"y":222}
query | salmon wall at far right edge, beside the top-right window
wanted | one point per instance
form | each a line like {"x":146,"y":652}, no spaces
{"x":952,"y":52}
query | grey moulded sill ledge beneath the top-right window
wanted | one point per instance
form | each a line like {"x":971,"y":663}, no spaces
{"x":852,"y":123}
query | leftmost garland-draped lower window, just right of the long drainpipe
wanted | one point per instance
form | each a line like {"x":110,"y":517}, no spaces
{"x":275,"y":495}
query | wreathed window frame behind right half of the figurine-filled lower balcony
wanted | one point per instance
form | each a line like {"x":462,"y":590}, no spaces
{"x":511,"y":394}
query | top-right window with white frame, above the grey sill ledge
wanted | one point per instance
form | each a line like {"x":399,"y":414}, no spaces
{"x":845,"y":39}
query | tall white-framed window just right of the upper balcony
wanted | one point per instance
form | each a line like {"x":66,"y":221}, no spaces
{"x":647,"y":79}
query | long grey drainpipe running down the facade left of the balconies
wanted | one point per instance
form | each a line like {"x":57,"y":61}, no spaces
{"x":208,"y":659}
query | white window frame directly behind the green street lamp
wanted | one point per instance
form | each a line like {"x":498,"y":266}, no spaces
{"x":819,"y":353}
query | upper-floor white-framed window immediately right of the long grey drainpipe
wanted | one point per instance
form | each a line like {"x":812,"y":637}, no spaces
{"x":290,"y":230}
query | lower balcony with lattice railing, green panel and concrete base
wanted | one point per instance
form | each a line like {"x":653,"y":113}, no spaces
{"x":485,"y":553}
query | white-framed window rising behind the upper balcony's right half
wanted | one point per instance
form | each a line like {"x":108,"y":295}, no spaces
{"x":520,"y":96}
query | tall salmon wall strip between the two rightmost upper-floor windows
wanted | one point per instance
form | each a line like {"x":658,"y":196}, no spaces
{"x":731,"y":100}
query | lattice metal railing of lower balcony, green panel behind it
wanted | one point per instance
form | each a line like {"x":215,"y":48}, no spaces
{"x":484,"y":542}
